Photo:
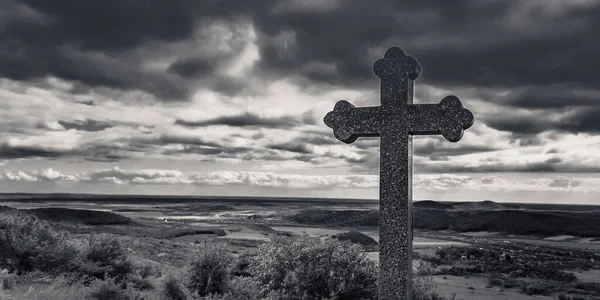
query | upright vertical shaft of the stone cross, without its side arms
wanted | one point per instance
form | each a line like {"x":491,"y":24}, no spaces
{"x":395,"y":187}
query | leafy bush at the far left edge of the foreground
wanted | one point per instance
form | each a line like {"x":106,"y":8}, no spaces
{"x":31,"y":244}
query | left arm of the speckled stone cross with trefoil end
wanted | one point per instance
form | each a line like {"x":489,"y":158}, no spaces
{"x":349,"y":122}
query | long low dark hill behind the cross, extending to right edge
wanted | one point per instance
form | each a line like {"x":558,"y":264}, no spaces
{"x":470,"y":216}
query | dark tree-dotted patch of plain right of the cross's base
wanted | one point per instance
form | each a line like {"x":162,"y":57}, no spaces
{"x":532,"y":269}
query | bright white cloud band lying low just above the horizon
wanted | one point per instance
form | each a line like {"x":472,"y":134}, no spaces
{"x":424,"y":182}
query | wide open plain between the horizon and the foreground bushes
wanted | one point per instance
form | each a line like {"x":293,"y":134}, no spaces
{"x":482,"y":250}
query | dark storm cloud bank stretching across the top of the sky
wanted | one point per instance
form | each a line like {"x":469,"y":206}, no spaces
{"x":458,"y":42}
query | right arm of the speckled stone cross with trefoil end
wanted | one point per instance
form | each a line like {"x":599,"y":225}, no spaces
{"x":447,"y":118}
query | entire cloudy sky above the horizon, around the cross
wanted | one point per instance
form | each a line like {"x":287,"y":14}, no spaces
{"x":224,"y":97}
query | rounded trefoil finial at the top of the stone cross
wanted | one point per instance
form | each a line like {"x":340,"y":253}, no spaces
{"x":395,"y":64}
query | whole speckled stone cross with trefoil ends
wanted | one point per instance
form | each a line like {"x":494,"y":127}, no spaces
{"x":395,"y":121}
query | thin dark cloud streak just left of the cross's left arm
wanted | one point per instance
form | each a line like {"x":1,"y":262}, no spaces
{"x":244,"y":120}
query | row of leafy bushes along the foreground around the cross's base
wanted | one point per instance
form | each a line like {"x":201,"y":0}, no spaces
{"x":37,"y":262}
